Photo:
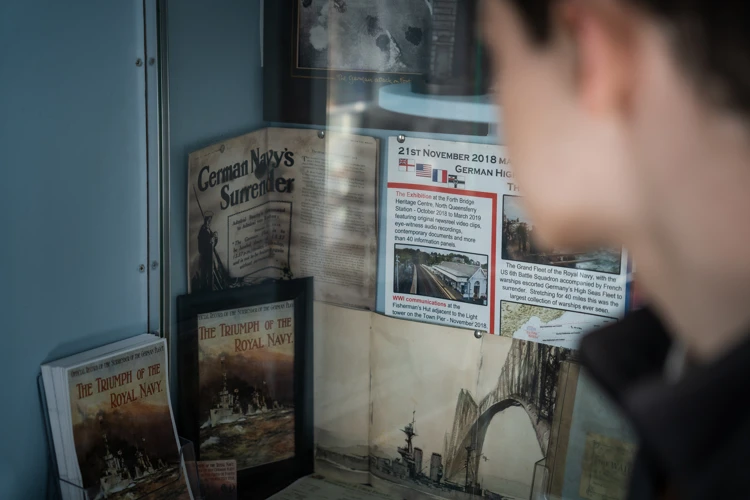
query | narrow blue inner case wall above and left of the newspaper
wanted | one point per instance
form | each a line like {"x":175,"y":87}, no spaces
{"x":215,"y":92}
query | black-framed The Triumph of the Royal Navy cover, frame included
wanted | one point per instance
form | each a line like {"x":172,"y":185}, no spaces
{"x":245,"y":375}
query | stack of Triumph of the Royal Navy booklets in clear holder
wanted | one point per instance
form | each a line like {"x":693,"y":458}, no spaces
{"x":111,"y":422}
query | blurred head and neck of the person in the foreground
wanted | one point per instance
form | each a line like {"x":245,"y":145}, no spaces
{"x":626,"y":122}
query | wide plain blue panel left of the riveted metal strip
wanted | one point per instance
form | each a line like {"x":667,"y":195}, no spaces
{"x":72,"y":203}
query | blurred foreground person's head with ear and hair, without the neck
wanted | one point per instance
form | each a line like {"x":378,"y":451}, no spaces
{"x":604,"y":100}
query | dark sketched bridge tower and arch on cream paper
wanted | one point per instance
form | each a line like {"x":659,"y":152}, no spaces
{"x":528,"y":379}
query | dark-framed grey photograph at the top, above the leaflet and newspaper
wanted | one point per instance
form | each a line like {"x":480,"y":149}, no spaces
{"x":328,"y":58}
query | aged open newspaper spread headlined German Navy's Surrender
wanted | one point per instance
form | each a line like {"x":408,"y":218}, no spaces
{"x":285,"y":203}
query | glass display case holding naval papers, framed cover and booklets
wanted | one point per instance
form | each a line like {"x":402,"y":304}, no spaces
{"x":352,"y":297}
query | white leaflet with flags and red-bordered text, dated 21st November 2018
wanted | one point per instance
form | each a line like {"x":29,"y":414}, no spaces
{"x":460,"y":251}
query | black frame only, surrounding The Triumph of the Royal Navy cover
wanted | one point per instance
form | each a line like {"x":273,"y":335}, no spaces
{"x":263,"y":480}
